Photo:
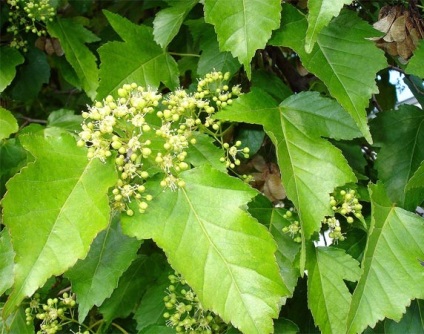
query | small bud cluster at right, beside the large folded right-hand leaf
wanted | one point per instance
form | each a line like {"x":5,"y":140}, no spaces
{"x":344,"y":203}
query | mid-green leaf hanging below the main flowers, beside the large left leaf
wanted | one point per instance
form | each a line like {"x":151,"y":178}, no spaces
{"x":94,"y":278}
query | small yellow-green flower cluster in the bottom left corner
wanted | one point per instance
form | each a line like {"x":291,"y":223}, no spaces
{"x":53,"y":314}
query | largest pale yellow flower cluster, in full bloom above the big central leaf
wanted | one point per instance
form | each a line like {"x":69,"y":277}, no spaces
{"x":148,"y":134}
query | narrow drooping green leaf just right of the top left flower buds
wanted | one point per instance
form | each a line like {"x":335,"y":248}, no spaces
{"x":73,"y":36}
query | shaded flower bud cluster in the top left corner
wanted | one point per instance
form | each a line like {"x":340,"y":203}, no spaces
{"x":30,"y":17}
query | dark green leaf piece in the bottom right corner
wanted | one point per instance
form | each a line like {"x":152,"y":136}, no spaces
{"x":412,"y":321}
